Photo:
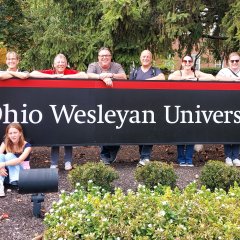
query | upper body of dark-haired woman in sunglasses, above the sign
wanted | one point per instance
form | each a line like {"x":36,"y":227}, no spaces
{"x":188,"y":72}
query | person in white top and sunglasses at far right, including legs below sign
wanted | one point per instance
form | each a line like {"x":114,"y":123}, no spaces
{"x":232,"y":73}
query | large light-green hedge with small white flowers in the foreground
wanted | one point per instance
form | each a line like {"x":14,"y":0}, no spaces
{"x":146,"y":214}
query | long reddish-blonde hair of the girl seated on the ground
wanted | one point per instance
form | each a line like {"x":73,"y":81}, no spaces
{"x":8,"y":143}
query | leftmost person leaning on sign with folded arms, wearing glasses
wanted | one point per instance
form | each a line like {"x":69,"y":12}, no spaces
{"x":12,"y":61}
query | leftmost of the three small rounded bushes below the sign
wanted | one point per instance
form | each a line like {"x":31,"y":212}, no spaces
{"x":100,"y":174}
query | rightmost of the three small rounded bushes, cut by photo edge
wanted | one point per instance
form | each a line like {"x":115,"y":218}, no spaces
{"x":216,"y":174}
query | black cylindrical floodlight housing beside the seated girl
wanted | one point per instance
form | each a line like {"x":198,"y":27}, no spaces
{"x":39,"y":180}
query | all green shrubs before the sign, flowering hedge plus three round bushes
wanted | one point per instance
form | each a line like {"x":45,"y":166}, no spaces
{"x":154,"y":211}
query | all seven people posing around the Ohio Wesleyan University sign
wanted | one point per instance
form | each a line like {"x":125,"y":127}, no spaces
{"x":15,"y":151}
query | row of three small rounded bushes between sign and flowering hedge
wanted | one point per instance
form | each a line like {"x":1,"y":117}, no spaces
{"x":215,"y":174}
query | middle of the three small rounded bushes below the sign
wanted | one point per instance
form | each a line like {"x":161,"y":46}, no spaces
{"x":155,"y":173}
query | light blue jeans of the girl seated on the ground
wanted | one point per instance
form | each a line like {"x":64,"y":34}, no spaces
{"x":13,"y":171}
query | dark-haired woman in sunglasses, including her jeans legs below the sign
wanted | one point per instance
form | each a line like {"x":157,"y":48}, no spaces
{"x":188,"y":72}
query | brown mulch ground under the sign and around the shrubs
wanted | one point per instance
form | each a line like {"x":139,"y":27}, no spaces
{"x":16,"y":216}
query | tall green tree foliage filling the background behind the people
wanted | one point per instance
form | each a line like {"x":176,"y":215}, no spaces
{"x":78,"y":28}
